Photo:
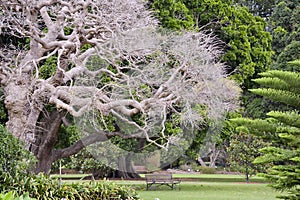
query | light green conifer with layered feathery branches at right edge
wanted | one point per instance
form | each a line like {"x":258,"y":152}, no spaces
{"x":282,"y":129}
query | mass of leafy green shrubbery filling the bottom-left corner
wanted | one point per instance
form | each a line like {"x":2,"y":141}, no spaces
{"x":15,"y":176}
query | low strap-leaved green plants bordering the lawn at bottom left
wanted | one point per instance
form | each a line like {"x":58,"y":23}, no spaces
{"x":43,"y":187}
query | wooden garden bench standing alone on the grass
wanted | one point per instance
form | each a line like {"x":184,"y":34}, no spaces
{"x":161,"y":179}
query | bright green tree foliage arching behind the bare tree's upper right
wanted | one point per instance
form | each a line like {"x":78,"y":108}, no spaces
{"x":248,"y":46}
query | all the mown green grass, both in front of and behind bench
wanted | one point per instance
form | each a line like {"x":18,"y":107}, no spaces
{"x":202,"y":187}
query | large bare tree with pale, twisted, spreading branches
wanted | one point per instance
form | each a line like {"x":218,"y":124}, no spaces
{"x":149,"y":71}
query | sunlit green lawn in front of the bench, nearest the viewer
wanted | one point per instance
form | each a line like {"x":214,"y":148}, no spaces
{"x":212,"y":191}
